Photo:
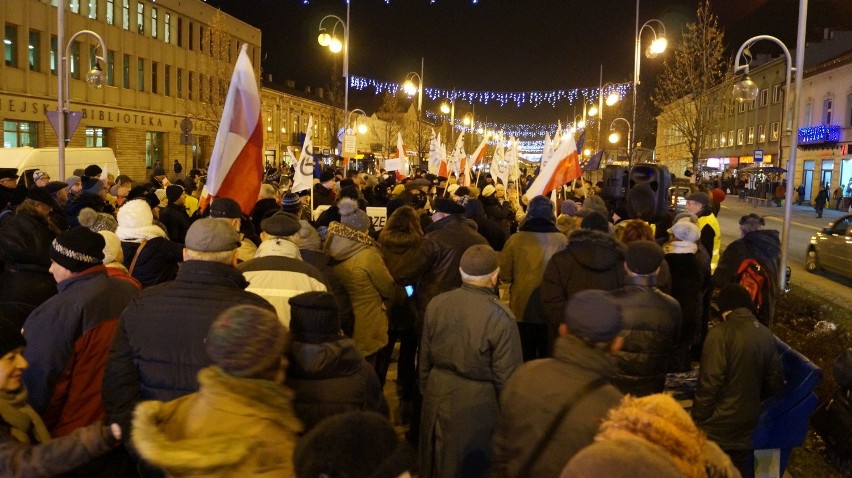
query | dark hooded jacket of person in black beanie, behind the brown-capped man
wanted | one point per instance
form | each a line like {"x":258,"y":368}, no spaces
{"x":592,"y":260}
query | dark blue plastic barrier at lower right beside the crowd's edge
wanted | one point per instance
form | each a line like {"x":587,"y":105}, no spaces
{"x":784,"y":418}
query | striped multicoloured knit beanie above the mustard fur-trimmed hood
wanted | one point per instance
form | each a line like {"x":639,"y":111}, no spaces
{"x":247,"y":341}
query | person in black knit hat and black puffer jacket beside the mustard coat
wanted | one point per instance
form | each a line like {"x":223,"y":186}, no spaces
{"x":326,"y":371}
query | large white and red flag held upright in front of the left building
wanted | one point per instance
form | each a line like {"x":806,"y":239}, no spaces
{"x":236,"y":165}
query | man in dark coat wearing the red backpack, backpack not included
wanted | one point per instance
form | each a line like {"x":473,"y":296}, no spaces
{"x":762,"y":245}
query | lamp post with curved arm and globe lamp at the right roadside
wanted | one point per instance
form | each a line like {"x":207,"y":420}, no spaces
{"x":748,"y":90}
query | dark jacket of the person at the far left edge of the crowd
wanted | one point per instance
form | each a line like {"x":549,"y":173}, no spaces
{"x":26,"y":283}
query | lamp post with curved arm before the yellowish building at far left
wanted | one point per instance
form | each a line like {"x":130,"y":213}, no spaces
{"x":95,"y":78}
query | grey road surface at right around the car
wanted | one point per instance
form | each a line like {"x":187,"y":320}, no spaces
{"x":803,"y":224}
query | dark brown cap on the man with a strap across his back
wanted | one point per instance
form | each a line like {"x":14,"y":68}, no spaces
{"x":593,"y":315}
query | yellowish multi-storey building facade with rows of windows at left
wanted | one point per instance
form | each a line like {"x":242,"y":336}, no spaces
{"x":165,"y":62}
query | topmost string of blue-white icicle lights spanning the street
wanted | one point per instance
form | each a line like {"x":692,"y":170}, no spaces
{"x":518,"y":98}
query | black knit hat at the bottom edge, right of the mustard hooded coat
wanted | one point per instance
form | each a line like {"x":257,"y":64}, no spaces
{"x":354,"y":444}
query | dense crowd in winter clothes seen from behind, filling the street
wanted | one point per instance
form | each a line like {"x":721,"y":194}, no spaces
{"x":142,"y":336}
